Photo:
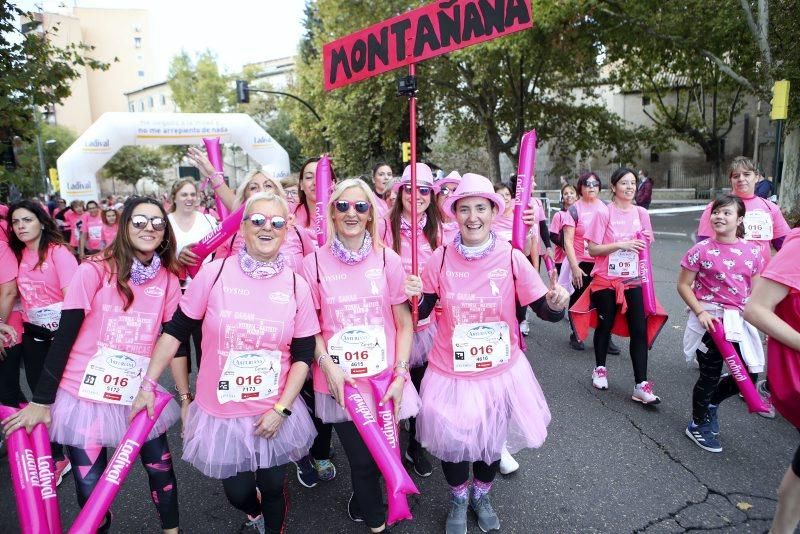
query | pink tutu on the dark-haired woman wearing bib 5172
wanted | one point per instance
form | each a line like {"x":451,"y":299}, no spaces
{"x":85,"y":424}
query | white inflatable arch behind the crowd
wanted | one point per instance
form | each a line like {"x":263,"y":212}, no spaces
{"x":78,"y":165}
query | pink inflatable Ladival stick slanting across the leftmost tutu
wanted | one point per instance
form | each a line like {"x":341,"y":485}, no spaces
{"x":94,"y":511}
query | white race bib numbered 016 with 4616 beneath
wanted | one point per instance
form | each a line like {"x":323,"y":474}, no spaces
{"x":480,"y":346}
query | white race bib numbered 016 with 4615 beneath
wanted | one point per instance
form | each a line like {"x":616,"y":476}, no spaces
{"x":359,"y":350}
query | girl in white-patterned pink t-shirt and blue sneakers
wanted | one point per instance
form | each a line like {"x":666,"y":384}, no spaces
{"x":715,"y":281}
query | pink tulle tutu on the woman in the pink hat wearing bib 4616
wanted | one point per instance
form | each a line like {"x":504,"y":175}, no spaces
{"x":469,"y":420}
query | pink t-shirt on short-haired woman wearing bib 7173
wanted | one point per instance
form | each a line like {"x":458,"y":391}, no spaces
{"x":244,"y":314}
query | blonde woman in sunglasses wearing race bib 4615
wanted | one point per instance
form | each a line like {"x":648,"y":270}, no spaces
{"x":357,"y":287}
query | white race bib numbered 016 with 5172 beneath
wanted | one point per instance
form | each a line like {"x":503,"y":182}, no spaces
{"x":113,"y":376}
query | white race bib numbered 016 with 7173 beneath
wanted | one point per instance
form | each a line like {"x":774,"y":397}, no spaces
{"x":249,"y":375}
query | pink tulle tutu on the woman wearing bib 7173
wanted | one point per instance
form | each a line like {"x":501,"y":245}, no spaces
{"x":222,"y":447}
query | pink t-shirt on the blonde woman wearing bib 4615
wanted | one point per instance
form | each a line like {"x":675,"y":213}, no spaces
{"x":355,"y":295}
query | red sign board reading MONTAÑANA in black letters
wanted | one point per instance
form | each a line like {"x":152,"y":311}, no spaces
{"x":423,"y":33}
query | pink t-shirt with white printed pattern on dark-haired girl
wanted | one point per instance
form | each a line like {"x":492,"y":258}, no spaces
{"x":724,"y":270}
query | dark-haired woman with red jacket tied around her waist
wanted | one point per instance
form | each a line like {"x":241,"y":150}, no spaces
{"x":616,"y":288}
